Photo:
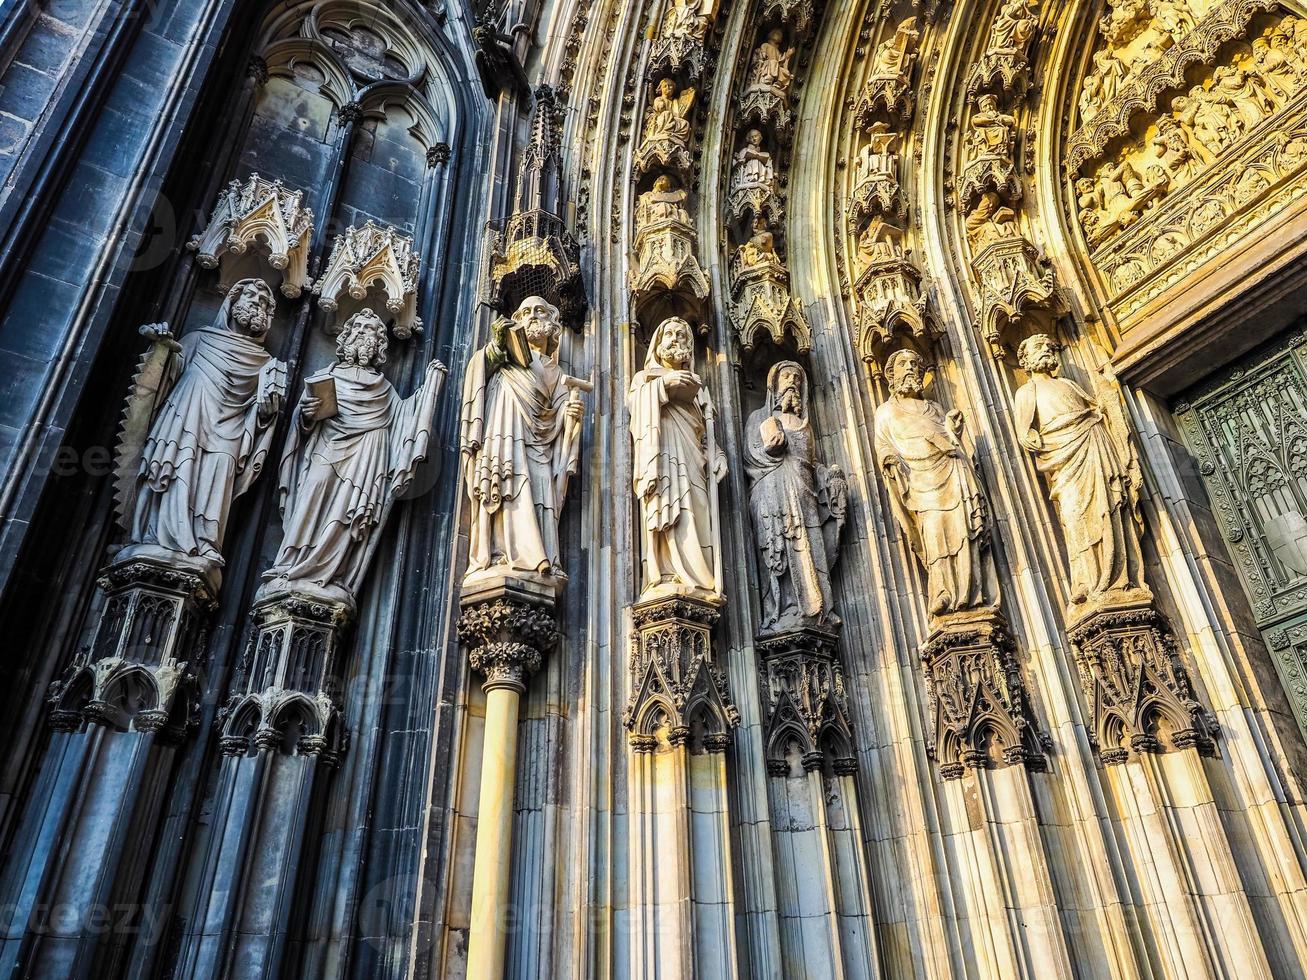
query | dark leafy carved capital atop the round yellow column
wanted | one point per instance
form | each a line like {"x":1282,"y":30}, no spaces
{"x":508,"y":640}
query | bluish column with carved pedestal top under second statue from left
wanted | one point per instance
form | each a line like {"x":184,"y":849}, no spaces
{"x":282,"y":736}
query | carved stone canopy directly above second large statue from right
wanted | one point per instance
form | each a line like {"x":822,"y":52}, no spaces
{"x":891,"y":304}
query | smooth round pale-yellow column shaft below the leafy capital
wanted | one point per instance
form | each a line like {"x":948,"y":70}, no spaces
{"x":491,"y":876}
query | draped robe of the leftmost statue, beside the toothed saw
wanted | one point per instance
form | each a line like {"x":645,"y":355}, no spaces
{"x":206,"y":448}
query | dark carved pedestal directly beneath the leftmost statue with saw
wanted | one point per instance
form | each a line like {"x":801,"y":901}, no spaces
{"x":138,"y":672}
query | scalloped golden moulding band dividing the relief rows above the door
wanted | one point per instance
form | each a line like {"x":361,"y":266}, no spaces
{"x":1140,"y":95}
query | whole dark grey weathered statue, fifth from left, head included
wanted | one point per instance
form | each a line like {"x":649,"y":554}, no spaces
{"x":798,"y":506}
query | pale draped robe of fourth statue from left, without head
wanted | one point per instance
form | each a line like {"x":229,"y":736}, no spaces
{"x":674,"y":483}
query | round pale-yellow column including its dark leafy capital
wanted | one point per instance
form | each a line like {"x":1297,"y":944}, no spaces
{"x":508,"y":628}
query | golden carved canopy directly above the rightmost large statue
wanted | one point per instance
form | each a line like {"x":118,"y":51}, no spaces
{"x":1014,"y":282}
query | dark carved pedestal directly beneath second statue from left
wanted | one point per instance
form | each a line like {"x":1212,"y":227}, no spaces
{"x":292,"y":680}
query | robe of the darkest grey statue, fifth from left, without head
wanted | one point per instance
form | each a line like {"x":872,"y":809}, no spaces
{"x":795,"y":527}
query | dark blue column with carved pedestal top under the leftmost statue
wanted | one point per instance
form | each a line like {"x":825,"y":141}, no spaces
{"x":118,"y":714}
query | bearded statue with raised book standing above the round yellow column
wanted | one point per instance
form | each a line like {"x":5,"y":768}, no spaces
{"x":521,"y":442}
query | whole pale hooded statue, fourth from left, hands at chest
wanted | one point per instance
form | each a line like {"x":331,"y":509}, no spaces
{"x":676,"y":468}
